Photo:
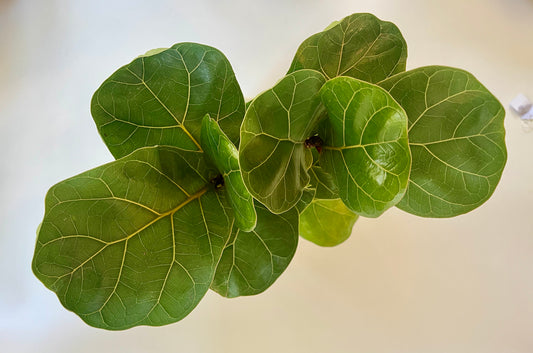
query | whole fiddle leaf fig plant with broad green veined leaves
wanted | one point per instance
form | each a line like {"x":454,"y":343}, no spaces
{"x":208,"y":192}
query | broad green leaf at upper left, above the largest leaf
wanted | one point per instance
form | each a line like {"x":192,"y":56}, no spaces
{"x":160,"y":99}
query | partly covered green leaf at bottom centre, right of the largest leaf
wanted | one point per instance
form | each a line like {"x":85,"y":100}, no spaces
{"x":252,"y":261}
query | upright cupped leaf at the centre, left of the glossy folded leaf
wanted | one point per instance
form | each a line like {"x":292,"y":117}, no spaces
{"x":273,"y":158}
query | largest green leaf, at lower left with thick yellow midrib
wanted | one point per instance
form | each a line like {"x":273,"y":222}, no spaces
{"x":133,"y":242}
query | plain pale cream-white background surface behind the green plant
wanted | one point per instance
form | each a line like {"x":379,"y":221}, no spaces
{"x":399,"y":284}
